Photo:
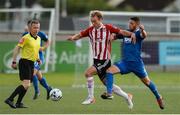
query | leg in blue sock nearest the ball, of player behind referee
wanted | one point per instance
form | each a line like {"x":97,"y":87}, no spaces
{"x":44,"y":83}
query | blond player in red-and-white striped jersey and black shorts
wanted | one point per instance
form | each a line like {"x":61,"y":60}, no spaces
{"x":100,"y":38}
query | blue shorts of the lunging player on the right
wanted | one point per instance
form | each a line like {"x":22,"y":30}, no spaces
{"x":137,"y":68}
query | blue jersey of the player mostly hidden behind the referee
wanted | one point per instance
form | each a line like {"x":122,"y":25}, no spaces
{"x":44,"y":38}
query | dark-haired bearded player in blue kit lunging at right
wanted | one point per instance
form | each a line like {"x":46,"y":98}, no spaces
{"x":132,"y":61}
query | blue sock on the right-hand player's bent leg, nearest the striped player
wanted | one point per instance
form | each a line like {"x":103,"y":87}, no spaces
{"x":109,"y":82}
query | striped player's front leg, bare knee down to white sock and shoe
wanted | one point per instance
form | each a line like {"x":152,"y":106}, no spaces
{"x":90,"y":85}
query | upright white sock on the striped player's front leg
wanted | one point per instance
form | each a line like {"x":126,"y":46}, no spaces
{"x":90,"y":86}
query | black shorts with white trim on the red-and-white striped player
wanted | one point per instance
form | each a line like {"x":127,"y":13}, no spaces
{"x":101,"y":67}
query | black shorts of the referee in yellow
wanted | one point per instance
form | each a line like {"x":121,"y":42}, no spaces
{"x":26,"y":69}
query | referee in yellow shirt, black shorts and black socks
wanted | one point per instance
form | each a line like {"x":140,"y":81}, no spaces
{"x":29,"y":46}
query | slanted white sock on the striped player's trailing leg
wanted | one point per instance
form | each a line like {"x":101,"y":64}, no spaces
{"x":118,"y":91}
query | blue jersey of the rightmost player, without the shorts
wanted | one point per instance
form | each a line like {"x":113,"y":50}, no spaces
{"x":132,"y":52}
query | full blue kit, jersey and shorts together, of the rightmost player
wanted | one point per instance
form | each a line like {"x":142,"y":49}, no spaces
{"x":132,"y":61}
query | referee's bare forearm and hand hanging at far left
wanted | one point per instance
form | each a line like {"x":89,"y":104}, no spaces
{"x":15,"y":53}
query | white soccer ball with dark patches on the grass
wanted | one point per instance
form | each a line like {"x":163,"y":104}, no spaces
{"x":55,"y":94}
